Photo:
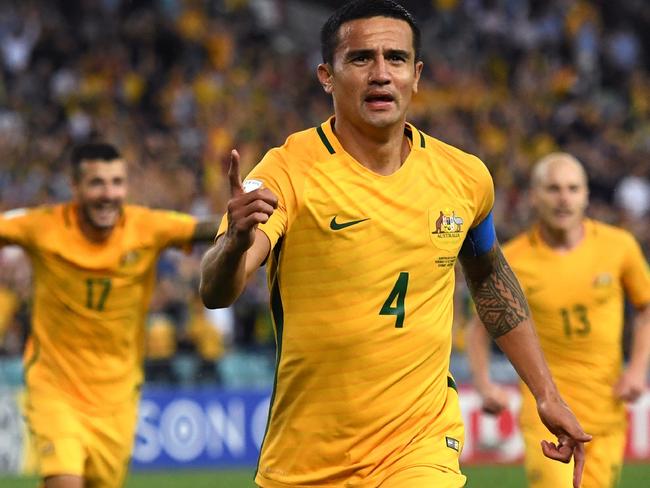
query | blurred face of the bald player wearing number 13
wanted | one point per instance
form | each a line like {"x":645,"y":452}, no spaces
{"x":560,"y":196}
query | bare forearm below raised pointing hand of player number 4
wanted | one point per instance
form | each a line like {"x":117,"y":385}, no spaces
{"x":223,"y":275}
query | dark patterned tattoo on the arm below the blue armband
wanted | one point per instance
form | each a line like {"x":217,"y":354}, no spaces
{"x":500,"y":301}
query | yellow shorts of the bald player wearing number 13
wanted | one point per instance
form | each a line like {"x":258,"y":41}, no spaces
{"x":603,"y":460}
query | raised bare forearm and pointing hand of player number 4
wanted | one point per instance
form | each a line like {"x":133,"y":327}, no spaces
{"x":226,"y":266}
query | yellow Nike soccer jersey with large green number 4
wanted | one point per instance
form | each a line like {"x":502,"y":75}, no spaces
{"x":362,"y":278}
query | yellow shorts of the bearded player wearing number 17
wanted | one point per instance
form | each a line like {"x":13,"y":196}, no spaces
{"x":68,"y":440}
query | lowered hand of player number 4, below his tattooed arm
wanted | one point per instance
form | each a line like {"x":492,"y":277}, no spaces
{"x":559,"y":419}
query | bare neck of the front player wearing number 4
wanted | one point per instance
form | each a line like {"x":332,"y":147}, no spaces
{"x":382,"y":151}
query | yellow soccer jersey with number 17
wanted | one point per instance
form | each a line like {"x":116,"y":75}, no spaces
{"x":90,"y":300}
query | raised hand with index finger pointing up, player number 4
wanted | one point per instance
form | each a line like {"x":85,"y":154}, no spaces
{"x":246,"y":210}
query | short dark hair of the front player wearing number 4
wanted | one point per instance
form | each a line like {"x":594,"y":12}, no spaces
{"x":364,"y":9}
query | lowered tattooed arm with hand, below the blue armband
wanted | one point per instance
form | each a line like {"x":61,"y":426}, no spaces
{"x":502,"y":307}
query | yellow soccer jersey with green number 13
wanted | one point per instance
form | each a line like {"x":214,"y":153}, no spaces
{"x":576,"y":300}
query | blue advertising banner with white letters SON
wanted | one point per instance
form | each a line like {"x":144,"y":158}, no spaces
{"x":200,"y":429}
